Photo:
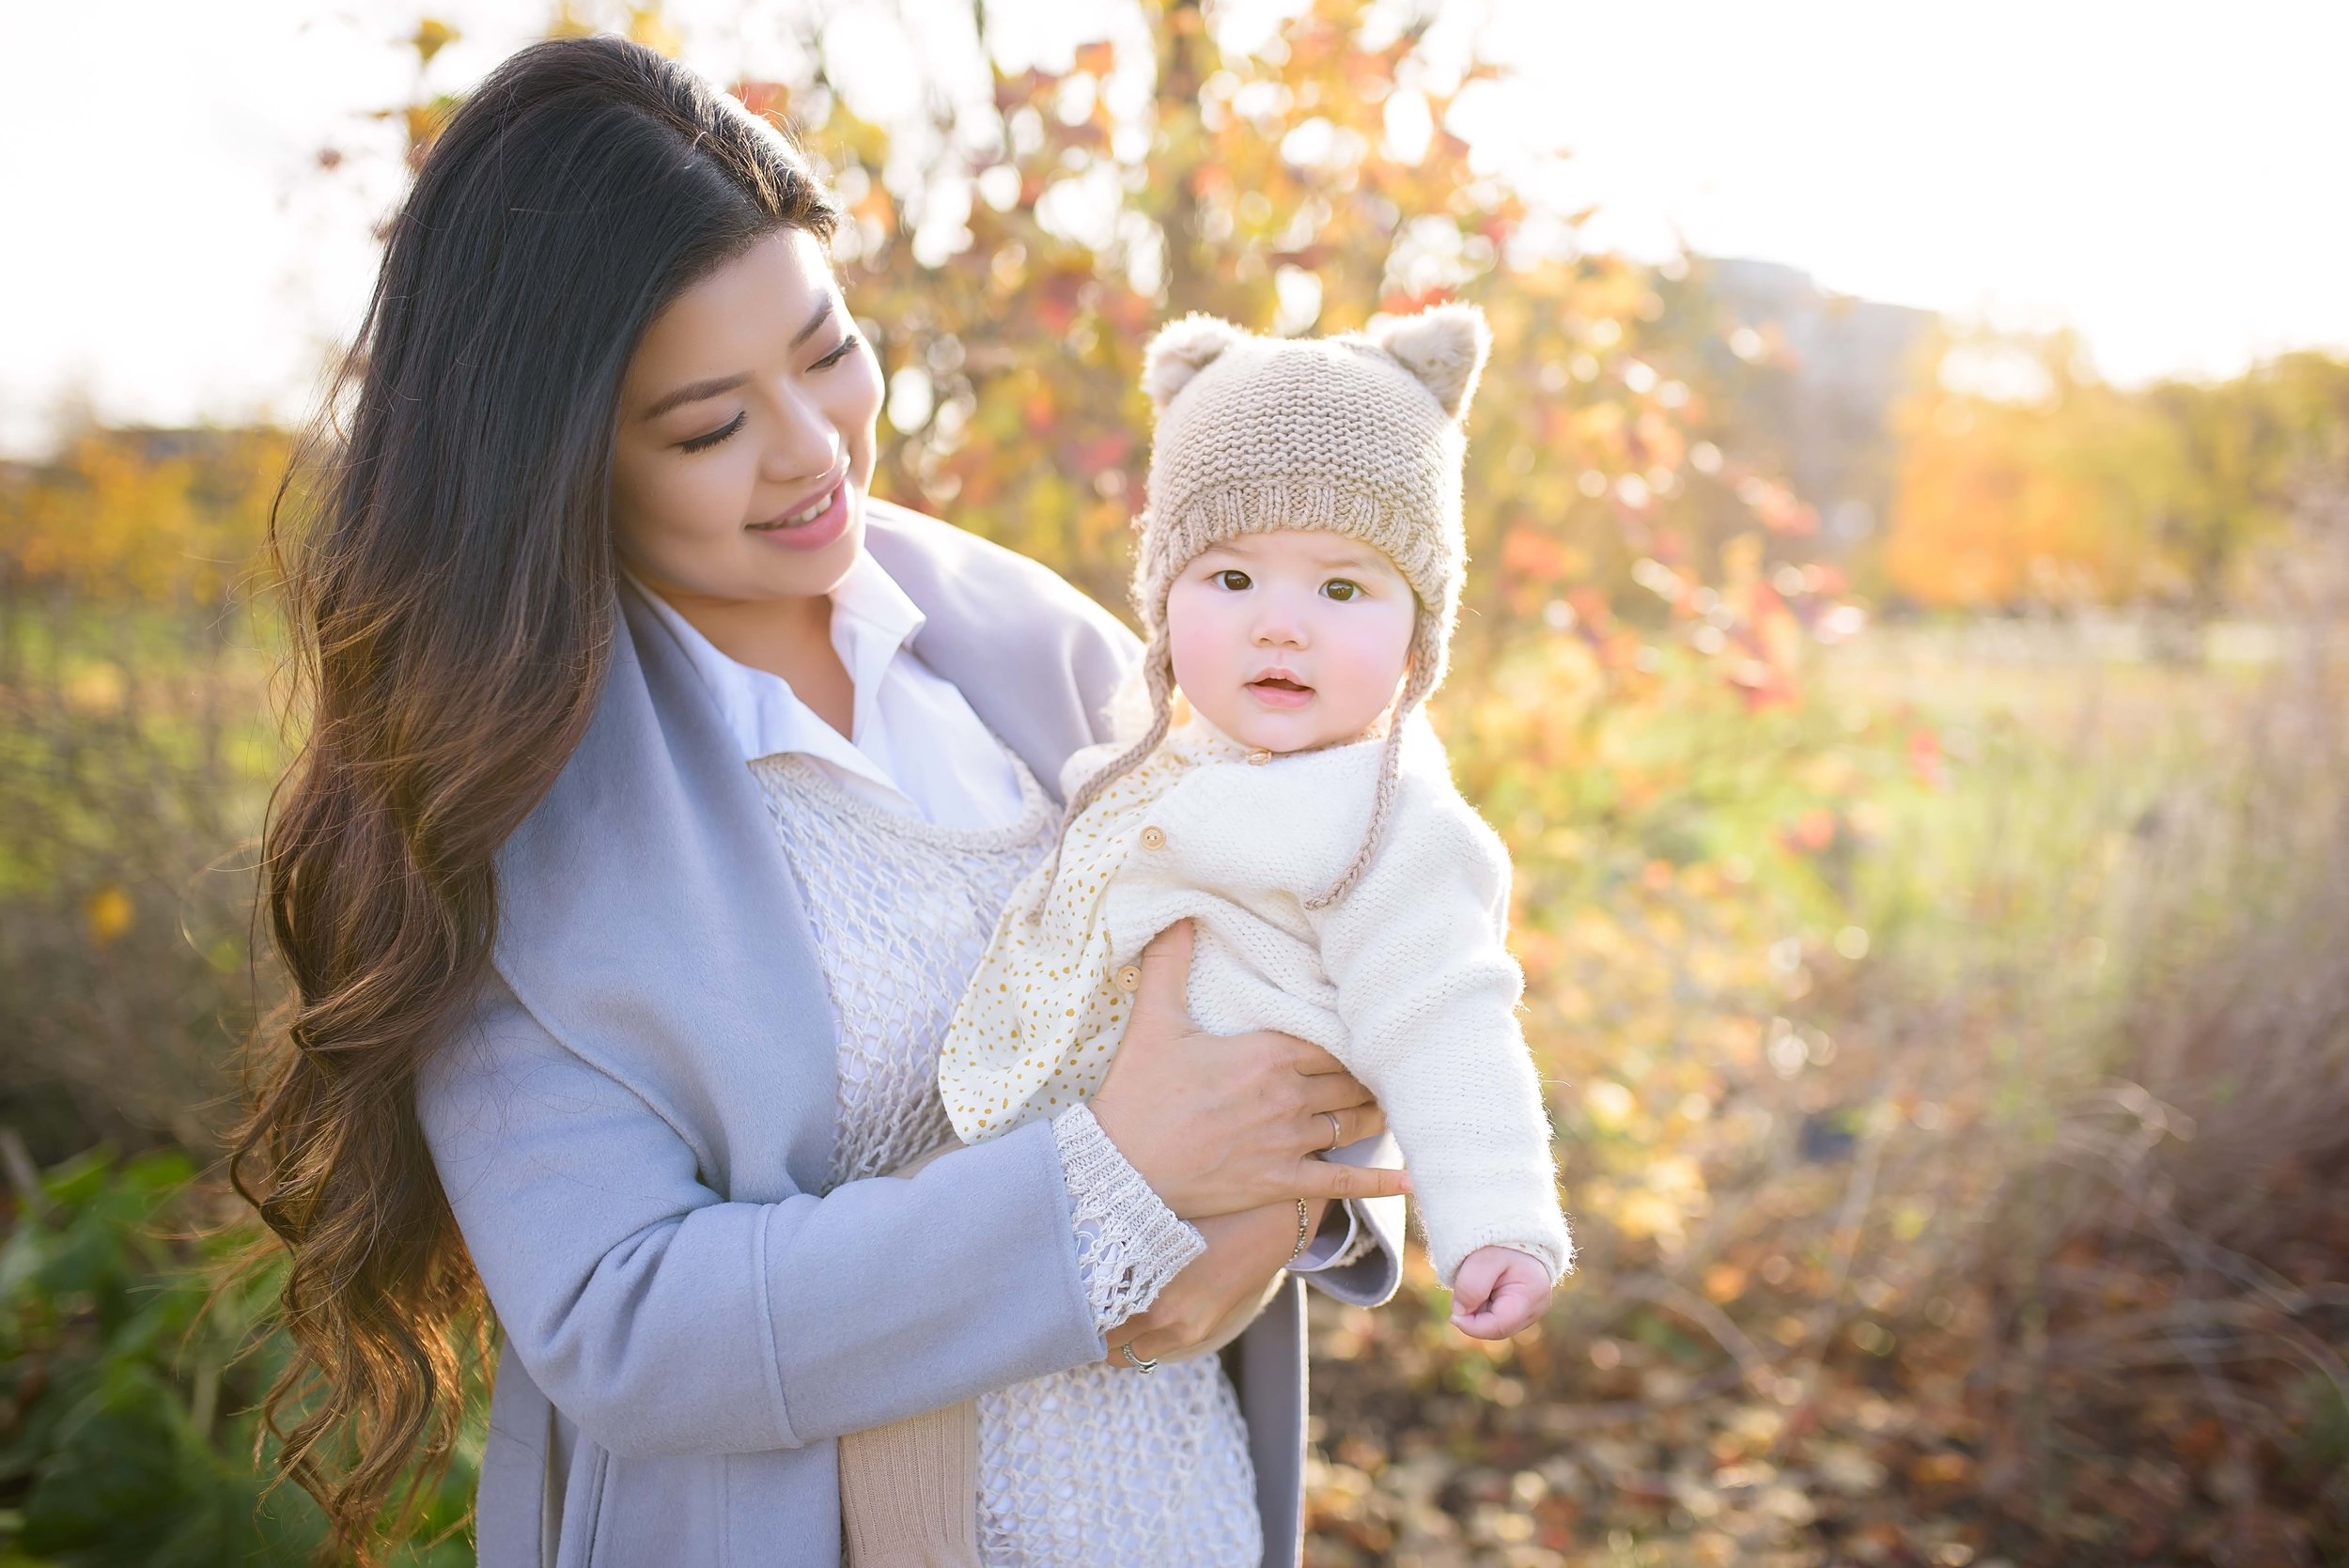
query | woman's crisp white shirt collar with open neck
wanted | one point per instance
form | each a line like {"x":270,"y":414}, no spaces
{"x":915,"y":743}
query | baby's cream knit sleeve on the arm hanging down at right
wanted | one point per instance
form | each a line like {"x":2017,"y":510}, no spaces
{"x":1429,"y":999}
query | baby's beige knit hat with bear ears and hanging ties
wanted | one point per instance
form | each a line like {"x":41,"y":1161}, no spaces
{"x":1359,"y":435}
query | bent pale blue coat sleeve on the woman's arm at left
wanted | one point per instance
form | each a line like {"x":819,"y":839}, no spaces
{"x":668,"y":1320}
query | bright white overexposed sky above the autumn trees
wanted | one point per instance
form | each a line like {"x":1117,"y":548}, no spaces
{"x":2165,"y":177}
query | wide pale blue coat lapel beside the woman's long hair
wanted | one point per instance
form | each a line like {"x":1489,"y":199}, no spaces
{"x":649,"y":921}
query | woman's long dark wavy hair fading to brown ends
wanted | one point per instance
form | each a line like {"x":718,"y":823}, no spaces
{"x":452,"y":602}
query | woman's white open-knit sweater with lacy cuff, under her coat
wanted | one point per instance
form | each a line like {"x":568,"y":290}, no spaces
{"x":1084,"y":1468}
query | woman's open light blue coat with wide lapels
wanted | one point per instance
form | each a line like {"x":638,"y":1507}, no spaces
{"x":635,"y":1130}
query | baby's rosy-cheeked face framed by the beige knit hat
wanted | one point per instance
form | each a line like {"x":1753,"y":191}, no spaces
{"x":1291,"y":640}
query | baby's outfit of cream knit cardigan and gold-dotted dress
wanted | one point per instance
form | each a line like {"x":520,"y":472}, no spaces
{"x":1406,"y":980}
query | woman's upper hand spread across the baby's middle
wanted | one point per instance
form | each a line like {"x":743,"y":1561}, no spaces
{"x":1230,"y":1123}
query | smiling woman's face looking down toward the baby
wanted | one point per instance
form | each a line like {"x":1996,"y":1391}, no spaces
{"x":748,"y":433}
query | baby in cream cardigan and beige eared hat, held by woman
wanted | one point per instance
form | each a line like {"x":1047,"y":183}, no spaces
{"x":1277,"y":783}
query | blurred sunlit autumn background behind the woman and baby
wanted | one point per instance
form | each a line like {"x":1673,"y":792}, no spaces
{"x":1916,"y":701}
